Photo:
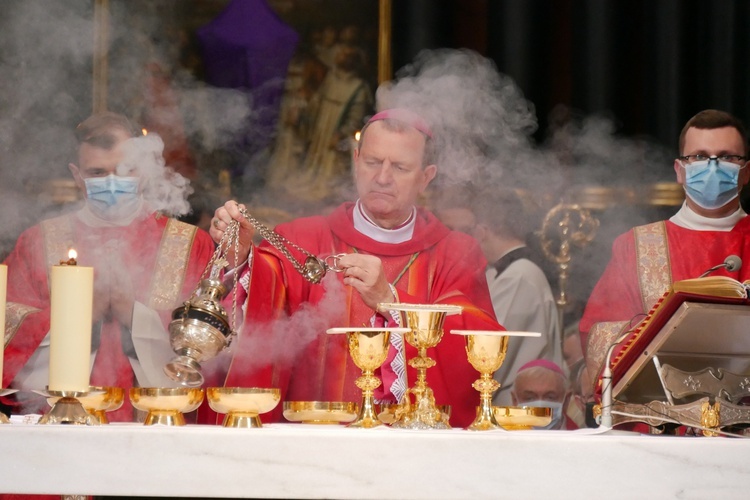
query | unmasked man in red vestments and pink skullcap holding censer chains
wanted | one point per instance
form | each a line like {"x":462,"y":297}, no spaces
{"x":393,"y":252}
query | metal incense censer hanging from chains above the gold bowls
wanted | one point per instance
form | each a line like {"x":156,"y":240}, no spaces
{"x":199,"y":331}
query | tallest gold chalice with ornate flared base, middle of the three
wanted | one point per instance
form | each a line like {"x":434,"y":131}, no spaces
{"x":425,"y":324}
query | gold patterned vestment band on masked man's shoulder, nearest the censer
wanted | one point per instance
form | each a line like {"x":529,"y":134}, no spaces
{"x":171,"y":264}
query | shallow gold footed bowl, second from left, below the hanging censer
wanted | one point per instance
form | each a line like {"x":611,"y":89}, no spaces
{"x":166,"y":406}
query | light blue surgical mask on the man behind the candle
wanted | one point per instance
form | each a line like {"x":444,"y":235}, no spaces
{"x":112,"y":196}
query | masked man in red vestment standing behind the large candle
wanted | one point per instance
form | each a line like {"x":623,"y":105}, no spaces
{"x":145,"y":264}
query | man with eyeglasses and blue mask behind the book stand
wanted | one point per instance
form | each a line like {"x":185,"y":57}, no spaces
{"x":710,"y":226}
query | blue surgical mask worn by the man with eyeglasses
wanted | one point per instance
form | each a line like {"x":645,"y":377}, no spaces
{"x":711,"y":184}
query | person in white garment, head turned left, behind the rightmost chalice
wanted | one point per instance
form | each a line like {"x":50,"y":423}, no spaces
{"x":521,"y":295}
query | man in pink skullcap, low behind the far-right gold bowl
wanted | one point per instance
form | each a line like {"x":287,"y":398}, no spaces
{"x":542,"y":383}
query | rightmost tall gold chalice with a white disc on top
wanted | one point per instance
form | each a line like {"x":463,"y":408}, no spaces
{"x":486,"y":351}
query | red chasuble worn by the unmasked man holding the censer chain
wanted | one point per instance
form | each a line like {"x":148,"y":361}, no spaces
{"x":283,"y":342}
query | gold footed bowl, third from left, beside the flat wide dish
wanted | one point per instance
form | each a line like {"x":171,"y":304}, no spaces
{"x":242,"y":405}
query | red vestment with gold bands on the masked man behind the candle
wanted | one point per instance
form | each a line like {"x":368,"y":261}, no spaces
{"x":162,"y":258}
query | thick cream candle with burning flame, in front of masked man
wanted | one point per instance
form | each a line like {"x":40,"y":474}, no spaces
{"x":71,"y":303}
